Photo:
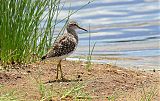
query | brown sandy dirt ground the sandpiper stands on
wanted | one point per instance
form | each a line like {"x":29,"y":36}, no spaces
{"x":101,"y":83}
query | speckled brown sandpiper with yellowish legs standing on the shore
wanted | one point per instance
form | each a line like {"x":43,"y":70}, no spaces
{"x":64,"y":46}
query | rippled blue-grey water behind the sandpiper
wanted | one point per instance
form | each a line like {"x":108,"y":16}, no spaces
{"x":120,"y":28}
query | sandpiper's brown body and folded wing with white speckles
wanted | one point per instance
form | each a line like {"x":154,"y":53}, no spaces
{"x":63,"y":46}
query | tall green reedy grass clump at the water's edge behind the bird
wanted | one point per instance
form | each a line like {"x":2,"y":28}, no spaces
{"x":25,"y":37}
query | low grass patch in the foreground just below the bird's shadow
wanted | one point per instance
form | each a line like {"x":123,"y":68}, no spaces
{"x":49,"y":92}
